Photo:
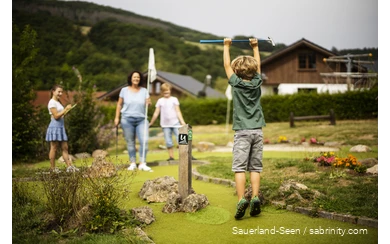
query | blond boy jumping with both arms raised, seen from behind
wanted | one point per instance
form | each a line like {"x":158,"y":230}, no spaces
{"x":244,"y":76}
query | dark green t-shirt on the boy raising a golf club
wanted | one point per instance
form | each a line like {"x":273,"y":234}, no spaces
{"x":247,"y":110}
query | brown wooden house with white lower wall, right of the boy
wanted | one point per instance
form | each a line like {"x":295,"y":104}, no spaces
{"x":304,"y":66}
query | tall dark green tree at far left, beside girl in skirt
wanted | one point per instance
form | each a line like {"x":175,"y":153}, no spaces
{"x":25,"y":127}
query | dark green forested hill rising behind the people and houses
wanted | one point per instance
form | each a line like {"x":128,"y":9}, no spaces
{"x":105,"y":44}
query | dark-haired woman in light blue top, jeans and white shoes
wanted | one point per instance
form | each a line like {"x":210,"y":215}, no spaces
{"x":131,"y":111}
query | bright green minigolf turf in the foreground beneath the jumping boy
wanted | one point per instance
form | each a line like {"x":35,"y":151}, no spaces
{"x":216,"y":223}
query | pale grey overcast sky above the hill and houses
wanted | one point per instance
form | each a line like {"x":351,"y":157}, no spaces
{"x":343,"y":24}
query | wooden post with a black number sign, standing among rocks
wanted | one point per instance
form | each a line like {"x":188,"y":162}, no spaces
{"x":185,"y":160}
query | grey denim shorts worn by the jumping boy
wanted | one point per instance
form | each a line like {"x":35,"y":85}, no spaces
{"x":248,"y":151}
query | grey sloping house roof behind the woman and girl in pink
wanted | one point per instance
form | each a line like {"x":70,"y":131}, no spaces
{"x":184,"y":83}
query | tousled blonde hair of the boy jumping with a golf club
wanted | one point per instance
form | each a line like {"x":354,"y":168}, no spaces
{"x":245,"y":66}
